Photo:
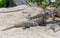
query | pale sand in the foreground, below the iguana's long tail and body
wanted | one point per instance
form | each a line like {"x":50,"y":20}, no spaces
{"x":33,"y":32}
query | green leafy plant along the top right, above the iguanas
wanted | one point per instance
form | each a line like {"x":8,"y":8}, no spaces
{"x":45,"y":3}
